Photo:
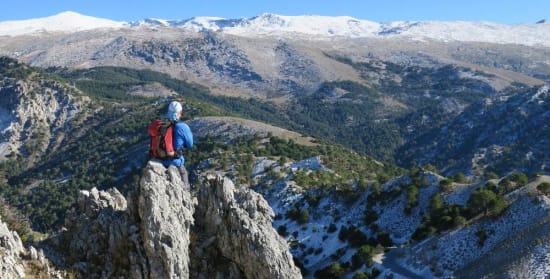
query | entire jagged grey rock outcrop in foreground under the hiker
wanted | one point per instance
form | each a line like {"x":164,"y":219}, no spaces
{"x":162,"y":231}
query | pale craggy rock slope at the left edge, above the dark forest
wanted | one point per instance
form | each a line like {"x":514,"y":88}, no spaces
{"x":35,"y":111}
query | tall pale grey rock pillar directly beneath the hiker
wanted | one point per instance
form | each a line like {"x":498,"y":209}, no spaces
{"x":166,"y":215}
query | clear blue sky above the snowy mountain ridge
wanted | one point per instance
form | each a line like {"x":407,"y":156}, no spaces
{"x":501,"y":11}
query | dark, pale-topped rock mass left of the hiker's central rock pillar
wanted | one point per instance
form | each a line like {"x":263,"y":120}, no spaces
{"x":102,"y":240}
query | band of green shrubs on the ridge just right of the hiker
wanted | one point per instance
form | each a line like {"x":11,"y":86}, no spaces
{"x":347,"y":168}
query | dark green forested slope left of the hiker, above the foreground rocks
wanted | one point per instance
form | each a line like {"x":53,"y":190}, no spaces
{"x":96,"y":159}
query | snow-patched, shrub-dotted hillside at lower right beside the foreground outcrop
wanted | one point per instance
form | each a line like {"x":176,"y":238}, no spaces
{"x":330,"y":225}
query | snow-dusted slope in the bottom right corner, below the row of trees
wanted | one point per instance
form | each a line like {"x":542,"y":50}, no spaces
{"x":515,"y":243}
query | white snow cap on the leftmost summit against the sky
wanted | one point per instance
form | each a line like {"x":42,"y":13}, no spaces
{"x":63,"y":22}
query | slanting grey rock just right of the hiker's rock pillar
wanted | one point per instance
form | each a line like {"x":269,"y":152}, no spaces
{"x":238,"y":222}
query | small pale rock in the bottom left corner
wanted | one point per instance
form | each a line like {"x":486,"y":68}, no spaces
{"x":11,"y":249}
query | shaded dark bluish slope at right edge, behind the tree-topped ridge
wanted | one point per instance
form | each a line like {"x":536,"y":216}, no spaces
{"x":501,"y":134}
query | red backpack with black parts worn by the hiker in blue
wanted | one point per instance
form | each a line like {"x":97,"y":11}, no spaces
{"x":161,"y":132}
